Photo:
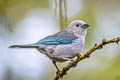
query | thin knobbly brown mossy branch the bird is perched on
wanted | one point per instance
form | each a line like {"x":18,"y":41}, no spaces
{"x":86,"y":55}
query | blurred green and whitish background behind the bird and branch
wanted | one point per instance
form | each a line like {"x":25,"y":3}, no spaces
{"x":27,"y":21}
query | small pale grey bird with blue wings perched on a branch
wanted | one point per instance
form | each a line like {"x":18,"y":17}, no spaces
{"x":63,"y":45}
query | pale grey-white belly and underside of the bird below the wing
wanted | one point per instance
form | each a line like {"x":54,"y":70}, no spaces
{"x":65,"y":52}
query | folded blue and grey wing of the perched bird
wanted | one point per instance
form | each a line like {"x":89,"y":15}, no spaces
{"x":62,"y":37}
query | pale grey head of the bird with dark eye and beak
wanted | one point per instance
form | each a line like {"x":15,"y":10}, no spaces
{"x":78,"y":27}
